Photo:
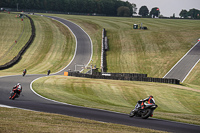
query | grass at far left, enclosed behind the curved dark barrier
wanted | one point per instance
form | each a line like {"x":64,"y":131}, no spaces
{"x":12,"y":29}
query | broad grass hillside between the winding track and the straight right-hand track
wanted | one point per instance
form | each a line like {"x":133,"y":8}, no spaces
{"x":153,"y":51}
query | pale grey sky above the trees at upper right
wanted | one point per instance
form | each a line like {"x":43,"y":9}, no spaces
{"x":167,"y":7}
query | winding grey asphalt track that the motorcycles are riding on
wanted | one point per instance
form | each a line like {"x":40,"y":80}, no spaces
{"x":31,"y":101}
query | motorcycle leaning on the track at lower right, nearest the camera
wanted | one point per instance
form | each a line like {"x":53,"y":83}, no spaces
{"x":144,"y":113}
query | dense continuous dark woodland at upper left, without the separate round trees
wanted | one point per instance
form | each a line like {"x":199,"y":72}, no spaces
{"x":107,"y":7}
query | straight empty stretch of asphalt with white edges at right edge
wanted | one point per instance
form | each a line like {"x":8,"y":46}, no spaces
{"x":185,"y":65}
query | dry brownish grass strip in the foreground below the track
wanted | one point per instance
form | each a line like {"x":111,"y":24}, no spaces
{"x":16,"y":120}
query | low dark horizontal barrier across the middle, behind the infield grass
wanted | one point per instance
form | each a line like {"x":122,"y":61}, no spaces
{"x":125,"y":76}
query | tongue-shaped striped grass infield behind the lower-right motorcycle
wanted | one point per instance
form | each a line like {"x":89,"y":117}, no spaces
{"x":121,"y":96}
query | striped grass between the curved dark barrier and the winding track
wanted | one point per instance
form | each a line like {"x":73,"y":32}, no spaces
{"x":53,"y":48}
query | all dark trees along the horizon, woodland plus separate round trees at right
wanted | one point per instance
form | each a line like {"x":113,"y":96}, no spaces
{"x":105,"y":7}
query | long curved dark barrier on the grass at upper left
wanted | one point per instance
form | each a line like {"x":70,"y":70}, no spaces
{"x":16,"y":59}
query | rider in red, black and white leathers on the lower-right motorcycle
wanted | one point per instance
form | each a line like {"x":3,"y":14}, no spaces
{"x":140,"y":103}
